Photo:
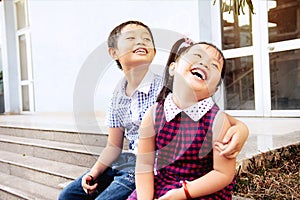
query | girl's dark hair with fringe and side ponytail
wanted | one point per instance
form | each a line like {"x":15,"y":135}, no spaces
{"x":180,"y":47}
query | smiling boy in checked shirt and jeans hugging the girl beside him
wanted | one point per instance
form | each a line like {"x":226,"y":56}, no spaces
{"x":131,"y":44}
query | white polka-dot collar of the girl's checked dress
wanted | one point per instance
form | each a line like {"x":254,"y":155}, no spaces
{"x":195,"y":112}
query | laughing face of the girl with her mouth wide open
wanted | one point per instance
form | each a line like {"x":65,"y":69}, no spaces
{"x":199,"y":69}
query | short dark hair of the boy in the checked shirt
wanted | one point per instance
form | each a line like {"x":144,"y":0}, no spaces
{"x":116,"y":32}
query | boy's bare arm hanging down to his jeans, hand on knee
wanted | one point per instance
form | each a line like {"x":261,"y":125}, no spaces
{"x":109,"y":154}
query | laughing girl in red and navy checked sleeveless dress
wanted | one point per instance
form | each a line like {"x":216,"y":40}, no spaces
{"x":177,"y":133}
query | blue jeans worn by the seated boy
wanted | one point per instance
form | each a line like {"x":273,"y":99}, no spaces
{"x":116,"y":183}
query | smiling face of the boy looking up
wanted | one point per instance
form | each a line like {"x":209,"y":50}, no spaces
{"x":134,"y":47}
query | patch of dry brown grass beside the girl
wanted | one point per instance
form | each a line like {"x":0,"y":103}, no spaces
{"x":271,"y":175}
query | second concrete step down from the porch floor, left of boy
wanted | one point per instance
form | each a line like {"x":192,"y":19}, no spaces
{"x":47,"y":172}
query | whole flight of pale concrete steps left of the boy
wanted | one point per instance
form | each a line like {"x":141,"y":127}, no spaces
{"x":37,"y":164}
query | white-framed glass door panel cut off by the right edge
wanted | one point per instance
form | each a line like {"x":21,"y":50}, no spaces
{"x":284,"y":56}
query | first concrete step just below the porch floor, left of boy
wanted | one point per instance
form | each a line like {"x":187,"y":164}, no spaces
{"x":77,"y":154}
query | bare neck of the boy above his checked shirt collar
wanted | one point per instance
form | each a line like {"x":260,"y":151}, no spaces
{"x":134,"y":77}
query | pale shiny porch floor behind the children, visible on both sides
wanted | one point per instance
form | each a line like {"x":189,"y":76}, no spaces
{"x":265,"y":133}
